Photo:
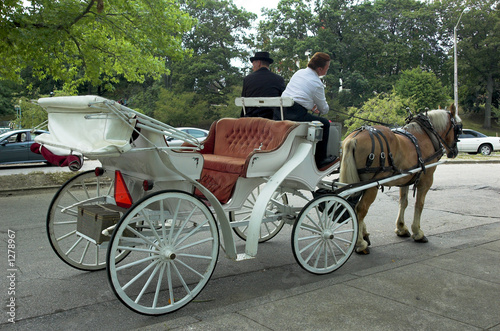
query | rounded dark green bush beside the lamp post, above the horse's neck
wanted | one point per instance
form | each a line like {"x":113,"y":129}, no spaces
{"x":423,"y":88}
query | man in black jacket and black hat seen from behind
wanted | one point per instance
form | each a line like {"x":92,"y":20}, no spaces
{"x":261,"y":83}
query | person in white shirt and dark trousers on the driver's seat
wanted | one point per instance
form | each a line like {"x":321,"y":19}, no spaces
{"x":308,"y":94}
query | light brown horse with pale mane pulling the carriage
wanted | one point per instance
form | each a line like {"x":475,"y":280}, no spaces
{"x":371,"y":153}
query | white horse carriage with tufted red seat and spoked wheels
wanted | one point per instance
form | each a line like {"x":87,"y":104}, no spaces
{"x":156,"y":216}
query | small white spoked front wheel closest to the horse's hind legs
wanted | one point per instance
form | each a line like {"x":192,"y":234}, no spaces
{"x":325,"y":234}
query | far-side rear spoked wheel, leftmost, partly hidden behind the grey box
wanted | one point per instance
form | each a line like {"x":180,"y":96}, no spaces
{"x":73,"y":249}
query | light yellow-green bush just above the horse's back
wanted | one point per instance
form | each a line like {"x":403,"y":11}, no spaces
{"x":384,"y":108}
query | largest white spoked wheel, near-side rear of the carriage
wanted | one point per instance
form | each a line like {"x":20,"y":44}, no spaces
{"x":171,"y":259}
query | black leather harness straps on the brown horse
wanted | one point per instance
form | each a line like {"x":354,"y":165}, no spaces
{"x":424,"y":122}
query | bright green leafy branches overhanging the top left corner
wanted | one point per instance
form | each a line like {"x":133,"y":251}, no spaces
{"x":90,"y":41}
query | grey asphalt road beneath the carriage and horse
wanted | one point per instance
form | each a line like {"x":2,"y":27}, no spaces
{"x":52,"y":296}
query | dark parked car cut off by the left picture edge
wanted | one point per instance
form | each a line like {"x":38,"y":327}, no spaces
{"x":15,"y":147}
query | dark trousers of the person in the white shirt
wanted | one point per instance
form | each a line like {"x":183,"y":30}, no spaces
{"x":298,"y":113}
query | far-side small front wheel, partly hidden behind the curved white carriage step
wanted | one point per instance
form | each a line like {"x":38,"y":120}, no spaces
{"x":268,"y":229}
